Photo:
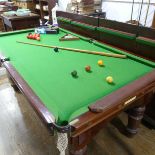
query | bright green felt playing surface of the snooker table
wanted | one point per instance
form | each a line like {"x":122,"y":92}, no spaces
{"x":49,"y":73}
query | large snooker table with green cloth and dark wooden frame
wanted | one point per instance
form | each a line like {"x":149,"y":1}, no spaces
{"x":77,"y":106}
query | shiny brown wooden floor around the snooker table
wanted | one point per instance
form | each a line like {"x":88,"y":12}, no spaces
{"x":22,"y":132}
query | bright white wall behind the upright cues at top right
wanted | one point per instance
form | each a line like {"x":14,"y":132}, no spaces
{"x":121,"y":11}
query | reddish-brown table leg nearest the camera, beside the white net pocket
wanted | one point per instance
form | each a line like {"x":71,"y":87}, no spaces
{"x":78,"y":144}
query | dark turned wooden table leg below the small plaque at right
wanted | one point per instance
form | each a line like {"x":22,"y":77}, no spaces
{"x":135,"y":116}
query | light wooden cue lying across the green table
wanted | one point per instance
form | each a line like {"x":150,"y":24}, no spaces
{"x":77,"y":50}
